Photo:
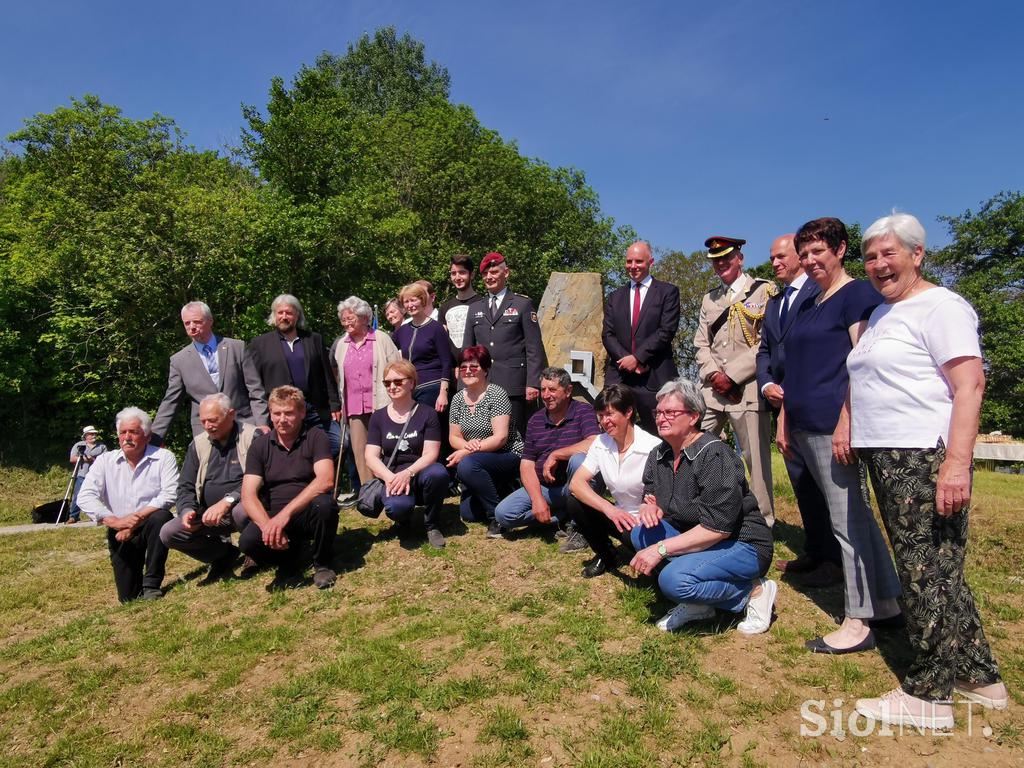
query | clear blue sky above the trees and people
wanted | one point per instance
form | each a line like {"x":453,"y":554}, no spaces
{"x":690,"y":119}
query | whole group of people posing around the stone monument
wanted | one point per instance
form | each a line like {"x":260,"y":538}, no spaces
{"x":884,"y":374}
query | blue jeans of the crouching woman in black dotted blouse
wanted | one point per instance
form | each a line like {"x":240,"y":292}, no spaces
{"x":721,"y":576}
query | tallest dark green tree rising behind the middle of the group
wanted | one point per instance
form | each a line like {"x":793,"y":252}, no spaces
{"x":387,"y":189}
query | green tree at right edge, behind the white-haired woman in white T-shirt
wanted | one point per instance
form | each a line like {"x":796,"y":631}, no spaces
{"x":986,"y":266}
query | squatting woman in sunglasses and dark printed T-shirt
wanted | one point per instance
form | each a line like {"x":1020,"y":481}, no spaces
{"x":414,"y":477}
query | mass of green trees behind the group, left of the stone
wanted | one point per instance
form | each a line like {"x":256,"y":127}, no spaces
{"x":359,"y":178}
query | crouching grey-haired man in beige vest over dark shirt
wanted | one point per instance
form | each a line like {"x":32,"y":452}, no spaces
{"x":210,"y":489}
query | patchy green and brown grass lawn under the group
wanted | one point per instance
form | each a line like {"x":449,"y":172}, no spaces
{"x":489,"y":654}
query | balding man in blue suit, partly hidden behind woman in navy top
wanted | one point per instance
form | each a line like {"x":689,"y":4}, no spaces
{"x":821,"y":566}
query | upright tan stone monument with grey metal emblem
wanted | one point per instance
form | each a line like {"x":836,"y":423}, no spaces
{"x":571,"y":315}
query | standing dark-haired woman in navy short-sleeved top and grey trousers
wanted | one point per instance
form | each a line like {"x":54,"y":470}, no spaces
{"x":815,"y":430}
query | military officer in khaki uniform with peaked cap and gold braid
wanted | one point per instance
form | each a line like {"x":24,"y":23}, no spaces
{"x":728,"y":340}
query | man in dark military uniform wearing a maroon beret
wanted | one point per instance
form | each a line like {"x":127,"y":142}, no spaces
{"x":506,"y":324}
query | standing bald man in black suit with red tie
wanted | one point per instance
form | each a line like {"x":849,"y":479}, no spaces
{"x":641,"y":322}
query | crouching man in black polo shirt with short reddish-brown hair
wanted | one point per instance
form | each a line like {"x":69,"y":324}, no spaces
{"x":287,"y":493}
